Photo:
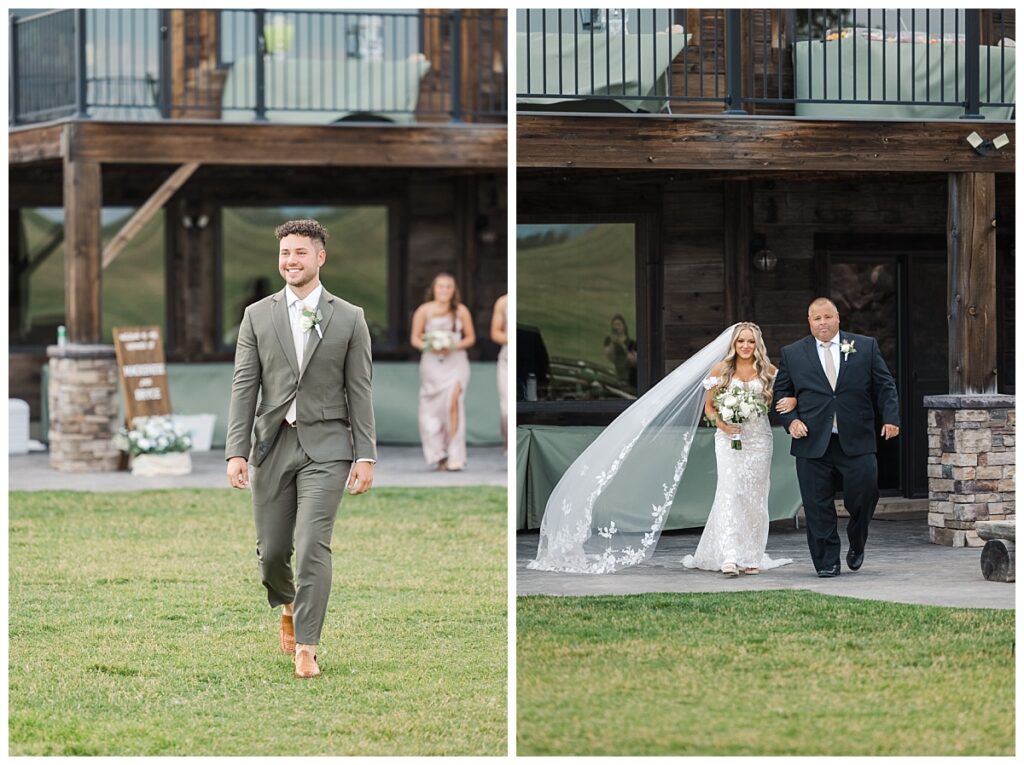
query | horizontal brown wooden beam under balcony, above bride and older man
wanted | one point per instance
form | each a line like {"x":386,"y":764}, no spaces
{"x":755,"y":144}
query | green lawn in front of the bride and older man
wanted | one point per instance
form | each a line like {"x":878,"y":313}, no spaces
{"x":764,"y":673}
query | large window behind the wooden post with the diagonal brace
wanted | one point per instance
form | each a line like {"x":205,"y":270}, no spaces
{"x":134,"y":284}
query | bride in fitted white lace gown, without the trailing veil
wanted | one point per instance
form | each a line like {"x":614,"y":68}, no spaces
{"x":737,"y":533}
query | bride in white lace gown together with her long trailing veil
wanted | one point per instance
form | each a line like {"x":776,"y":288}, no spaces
{"x":608,"y":511}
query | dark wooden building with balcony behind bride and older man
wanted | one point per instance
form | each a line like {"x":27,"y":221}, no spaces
{"x":748,"y":192}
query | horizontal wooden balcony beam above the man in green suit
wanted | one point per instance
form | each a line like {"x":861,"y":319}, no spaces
{"x":348,"y":146}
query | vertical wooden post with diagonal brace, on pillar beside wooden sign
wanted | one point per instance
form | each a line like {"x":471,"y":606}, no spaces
{"x":83,"y":287}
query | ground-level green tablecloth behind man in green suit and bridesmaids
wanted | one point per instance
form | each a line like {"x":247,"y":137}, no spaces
{"x":206,"y":389}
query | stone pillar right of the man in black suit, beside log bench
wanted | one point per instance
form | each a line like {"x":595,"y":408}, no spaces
{"x":970,"y":465}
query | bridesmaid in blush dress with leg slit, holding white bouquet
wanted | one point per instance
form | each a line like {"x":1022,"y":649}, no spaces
{"x":444,"y":373}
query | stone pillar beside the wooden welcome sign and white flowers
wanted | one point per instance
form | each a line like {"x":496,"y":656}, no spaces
{"x":83,"y":408}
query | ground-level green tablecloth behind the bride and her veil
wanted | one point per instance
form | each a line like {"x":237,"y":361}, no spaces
{"x":544,"y":453}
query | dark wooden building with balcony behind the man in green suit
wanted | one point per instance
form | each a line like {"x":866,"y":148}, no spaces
{"x":185,"y":121}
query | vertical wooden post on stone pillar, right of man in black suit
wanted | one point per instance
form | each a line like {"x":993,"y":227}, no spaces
{"x":971,"y":305}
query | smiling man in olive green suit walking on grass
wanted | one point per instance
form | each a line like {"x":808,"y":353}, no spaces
{"x":303,"y":418}
